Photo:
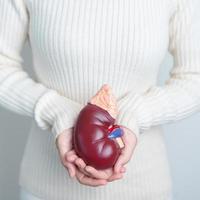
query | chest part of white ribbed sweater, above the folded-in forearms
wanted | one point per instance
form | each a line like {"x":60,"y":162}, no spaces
{"x":121,"y":43}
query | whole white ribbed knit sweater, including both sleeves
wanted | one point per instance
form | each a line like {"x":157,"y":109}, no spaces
{"x":78,"y":46}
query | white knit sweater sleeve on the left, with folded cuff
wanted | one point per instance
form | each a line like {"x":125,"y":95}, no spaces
{"x":18,"y":92}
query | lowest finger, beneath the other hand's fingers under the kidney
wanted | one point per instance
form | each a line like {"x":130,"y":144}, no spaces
{"x":83,"y":179}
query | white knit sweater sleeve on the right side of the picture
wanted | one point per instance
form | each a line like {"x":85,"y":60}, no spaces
{"x":180,"y":95}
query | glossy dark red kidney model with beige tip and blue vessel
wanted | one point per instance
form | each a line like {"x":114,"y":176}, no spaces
{"x":96,"y":139}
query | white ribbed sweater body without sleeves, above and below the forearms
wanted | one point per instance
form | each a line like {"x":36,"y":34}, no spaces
{"x":77,"y":46}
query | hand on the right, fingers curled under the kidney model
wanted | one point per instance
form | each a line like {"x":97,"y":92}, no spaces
{"x":116,"y":172}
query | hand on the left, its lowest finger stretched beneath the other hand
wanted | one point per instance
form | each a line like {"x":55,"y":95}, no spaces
{"x":64,"y":146}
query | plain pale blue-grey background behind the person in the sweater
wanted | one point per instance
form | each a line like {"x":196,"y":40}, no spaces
{"x":182,"y":140}
